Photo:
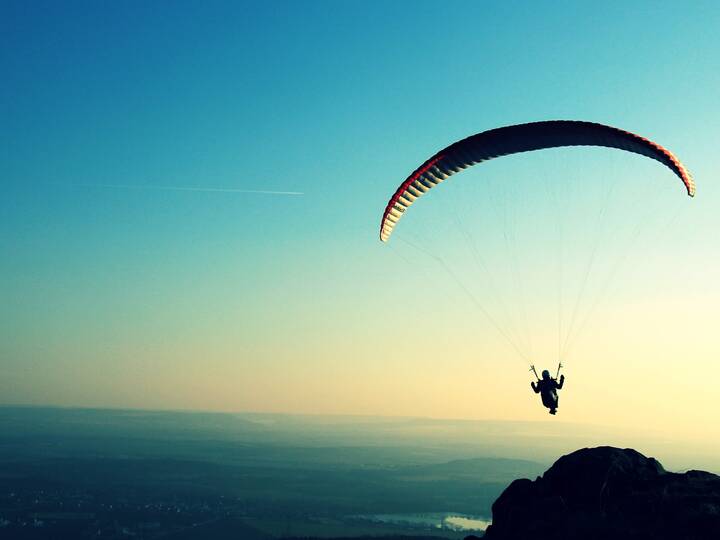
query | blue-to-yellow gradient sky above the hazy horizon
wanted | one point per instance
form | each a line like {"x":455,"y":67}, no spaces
{"x":122,"y":296}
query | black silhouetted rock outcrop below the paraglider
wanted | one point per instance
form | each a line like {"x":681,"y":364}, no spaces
{"x":610,"y":494}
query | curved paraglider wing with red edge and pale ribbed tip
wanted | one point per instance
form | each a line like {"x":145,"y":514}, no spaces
{"x":512,"y":140}
